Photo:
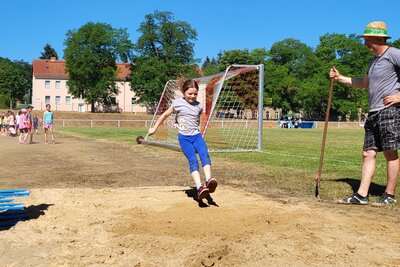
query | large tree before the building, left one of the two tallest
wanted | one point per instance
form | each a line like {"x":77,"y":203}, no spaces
{"x":90,"y":58}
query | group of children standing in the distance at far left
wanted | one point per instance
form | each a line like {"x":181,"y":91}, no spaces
{"x":25,"y":125}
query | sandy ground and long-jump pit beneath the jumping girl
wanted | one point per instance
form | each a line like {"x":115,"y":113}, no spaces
{"x":94,"y":203}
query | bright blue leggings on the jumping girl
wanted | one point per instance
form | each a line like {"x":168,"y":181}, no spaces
{"x":191,"y":144}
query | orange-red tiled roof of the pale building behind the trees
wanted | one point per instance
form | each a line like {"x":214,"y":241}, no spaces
{"x":55,"y":69}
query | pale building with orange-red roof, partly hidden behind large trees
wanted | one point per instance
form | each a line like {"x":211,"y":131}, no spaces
{"x":49,"y":86}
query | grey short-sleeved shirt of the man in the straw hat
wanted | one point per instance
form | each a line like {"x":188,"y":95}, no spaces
{"x":383,"y":76}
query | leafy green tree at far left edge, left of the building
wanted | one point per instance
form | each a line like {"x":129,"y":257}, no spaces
{"x":15,"y":81}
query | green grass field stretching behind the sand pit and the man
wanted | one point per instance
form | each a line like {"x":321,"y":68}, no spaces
{"x":290,"y":158}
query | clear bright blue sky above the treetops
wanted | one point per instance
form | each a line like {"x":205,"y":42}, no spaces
{"x":26,"y":26}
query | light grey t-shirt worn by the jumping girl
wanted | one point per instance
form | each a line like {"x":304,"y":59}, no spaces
{"x":187,"y":116}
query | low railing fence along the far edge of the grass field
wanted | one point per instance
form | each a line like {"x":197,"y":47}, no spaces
{"x":216,"y":123}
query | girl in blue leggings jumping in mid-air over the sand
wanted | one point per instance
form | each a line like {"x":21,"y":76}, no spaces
{"x":188,"y":111}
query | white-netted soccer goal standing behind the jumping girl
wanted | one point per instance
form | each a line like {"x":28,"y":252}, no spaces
{"x":232,"y":116}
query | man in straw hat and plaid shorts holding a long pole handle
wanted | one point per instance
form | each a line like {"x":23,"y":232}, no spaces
{"x":382,"y":127}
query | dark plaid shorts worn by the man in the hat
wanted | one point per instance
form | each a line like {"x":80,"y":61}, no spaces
{"x":382,"y":130}
